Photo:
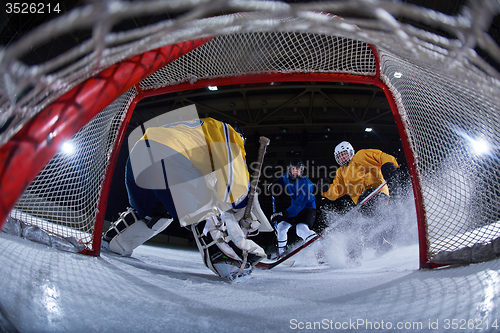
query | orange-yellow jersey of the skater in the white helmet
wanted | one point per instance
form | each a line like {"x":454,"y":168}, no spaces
{"x":362,"y":173}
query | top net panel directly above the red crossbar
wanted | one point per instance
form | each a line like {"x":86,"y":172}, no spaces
{"x":247,"y":54}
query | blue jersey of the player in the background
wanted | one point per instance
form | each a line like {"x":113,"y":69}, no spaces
{"x":300,"y":192}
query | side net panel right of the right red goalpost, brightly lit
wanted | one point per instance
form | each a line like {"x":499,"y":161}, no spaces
{"x":459,"y":186}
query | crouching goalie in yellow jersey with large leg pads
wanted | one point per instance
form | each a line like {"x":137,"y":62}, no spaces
{"x":193,"y":171}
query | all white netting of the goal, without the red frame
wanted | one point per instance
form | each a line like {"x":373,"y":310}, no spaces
{"x":445,"y":95}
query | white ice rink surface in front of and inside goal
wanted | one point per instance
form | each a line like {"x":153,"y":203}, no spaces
{"x":165,"y":289}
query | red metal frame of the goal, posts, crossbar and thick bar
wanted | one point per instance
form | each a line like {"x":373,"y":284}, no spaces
{"x":38,"y":142}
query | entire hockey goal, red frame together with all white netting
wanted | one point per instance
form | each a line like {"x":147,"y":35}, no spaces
{"x":437,"y":71}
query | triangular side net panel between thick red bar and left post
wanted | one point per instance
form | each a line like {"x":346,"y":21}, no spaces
{"x":63,"y":199}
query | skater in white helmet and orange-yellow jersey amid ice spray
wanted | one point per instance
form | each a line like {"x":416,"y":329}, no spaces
{"x":358,"y":176}
